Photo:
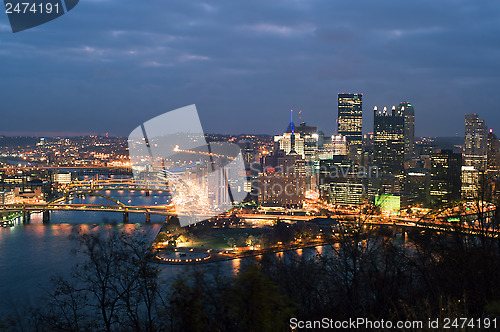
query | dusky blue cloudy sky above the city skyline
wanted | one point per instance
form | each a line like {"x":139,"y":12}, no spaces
{"x":109,"y":65}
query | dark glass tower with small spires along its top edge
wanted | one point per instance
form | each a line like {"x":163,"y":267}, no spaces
{"x":388,"y":140}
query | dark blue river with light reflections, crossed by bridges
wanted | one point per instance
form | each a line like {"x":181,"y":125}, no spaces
{"x":30,"y":254}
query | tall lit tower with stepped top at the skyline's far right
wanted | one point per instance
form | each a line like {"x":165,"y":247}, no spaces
{"x":475,"y":142}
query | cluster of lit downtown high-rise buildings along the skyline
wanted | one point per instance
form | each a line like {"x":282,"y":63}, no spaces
{"x":352,"y":168}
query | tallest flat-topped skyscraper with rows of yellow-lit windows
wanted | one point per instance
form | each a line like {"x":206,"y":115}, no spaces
{"x":350,"y":117}
